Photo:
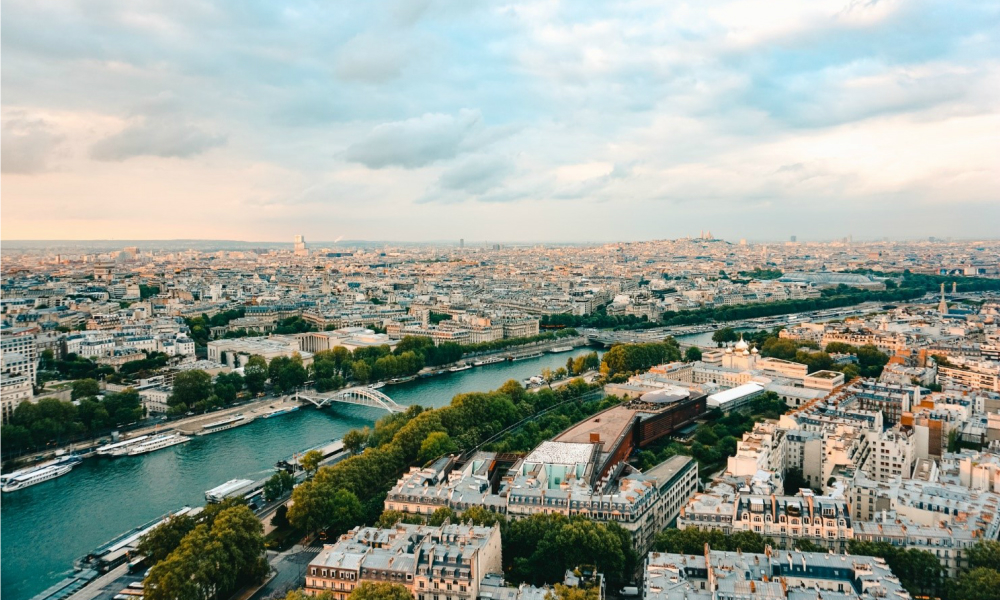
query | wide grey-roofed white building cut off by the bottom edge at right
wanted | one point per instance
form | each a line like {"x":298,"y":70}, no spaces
{"x":774,"y":575}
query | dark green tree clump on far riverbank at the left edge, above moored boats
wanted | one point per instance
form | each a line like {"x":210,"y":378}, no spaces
{"x":51,"y":421}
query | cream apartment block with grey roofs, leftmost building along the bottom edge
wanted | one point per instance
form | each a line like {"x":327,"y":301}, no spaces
{"x":444,"y":563}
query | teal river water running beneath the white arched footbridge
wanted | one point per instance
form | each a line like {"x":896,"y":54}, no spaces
{"x":47,"y":526}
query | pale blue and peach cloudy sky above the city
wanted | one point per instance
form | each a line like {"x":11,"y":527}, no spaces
{"x":563,"y":121}
